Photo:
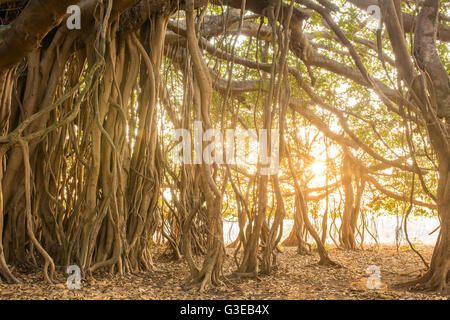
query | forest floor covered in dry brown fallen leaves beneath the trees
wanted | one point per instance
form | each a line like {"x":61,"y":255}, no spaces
{"x":297,"y":277}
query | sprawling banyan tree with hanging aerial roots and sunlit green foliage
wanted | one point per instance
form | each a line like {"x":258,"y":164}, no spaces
{"x":88,"y":174}
